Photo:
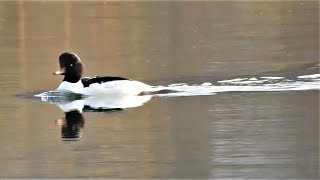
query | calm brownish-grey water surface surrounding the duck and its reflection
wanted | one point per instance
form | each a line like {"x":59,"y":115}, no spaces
{"x":239,"y":129}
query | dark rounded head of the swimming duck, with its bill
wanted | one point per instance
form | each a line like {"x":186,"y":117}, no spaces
{"x":70,"y":66}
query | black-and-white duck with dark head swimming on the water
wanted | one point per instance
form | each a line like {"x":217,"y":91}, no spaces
{"x":72,"y":69}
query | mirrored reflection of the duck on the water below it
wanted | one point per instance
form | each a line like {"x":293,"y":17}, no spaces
{"x":73,"y":121}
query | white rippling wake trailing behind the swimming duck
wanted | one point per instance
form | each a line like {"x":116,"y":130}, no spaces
{"x":249,"y":84}
